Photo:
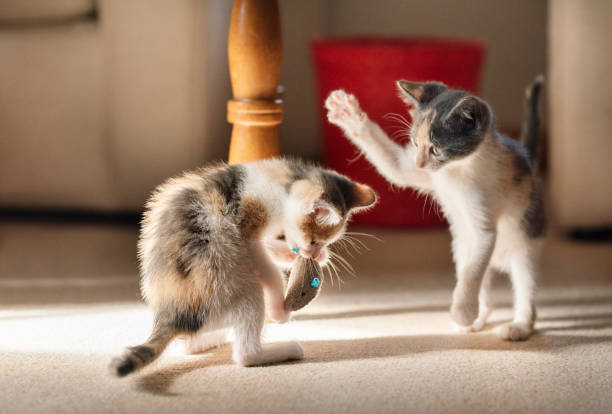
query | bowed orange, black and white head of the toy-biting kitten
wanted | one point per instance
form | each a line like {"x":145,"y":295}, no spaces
{"x":318,"y":210}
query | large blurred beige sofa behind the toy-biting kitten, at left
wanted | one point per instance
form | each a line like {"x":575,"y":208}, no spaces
{"x":95,"y":109}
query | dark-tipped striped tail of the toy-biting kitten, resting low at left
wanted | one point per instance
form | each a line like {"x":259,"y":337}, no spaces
{"x":136,"y":357}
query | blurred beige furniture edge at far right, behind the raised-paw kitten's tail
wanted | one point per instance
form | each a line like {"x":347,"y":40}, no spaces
{"x":580,"y":103}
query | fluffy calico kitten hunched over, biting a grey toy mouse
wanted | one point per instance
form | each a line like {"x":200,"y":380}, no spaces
{"x":207,"y":245}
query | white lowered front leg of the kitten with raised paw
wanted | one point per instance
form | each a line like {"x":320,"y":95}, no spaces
{"x":472,"y":257}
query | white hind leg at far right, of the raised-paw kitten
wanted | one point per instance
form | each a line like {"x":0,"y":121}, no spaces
{"x":523,"y":282}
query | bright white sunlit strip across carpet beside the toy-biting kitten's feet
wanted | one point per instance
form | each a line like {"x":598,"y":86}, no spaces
{"x":108,"y":328}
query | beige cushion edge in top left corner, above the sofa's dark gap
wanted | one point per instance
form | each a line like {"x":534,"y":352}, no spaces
{"x":42,"y":11}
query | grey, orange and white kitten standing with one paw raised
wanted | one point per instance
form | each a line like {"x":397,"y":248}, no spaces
{"x":485,"y":182}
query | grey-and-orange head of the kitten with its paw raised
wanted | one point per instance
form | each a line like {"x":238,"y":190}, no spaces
{"x":447,"y":124}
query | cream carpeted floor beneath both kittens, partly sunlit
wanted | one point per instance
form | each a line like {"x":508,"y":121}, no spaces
{"x":380,"y":342}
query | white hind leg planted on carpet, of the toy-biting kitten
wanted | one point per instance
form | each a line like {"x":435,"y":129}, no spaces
{"x":248,"y":319}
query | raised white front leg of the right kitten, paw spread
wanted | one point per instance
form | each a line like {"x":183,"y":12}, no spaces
{"x":394,"y":162}
